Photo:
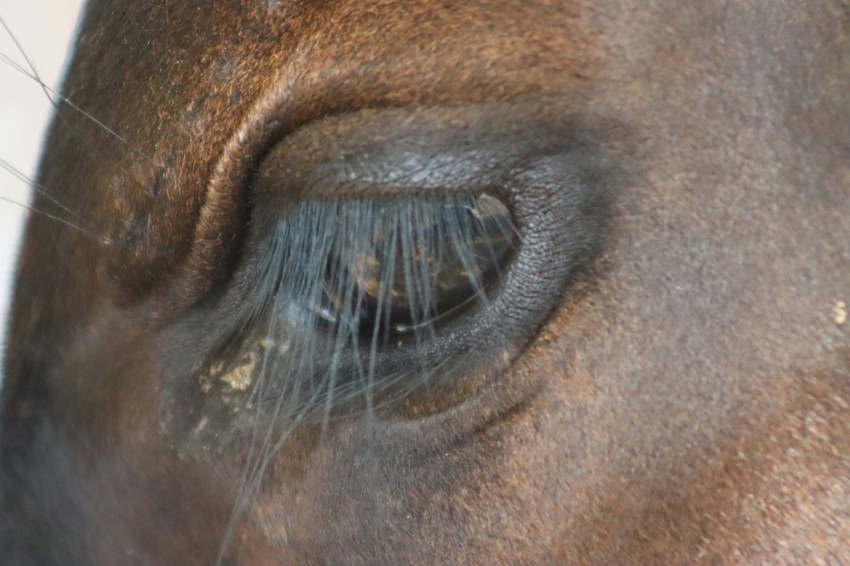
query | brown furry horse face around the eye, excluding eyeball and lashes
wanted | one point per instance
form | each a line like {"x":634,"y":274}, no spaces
{"x":682,"y":397}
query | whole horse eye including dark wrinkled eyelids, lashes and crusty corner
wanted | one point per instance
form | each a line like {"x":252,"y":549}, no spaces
{"x":379,"y":265}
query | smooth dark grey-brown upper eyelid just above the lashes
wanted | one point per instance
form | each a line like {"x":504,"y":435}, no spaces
{"x":403,"y":151}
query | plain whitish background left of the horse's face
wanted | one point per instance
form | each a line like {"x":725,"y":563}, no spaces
{"x":44,"y":29}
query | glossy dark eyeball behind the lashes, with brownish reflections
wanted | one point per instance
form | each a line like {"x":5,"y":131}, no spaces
{"x":402,"y":266}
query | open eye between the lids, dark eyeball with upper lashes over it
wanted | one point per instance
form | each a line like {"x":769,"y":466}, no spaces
{"x":367,"y":267}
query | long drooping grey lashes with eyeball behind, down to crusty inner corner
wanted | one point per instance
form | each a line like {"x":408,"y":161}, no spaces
{"x":352,"y":294}
